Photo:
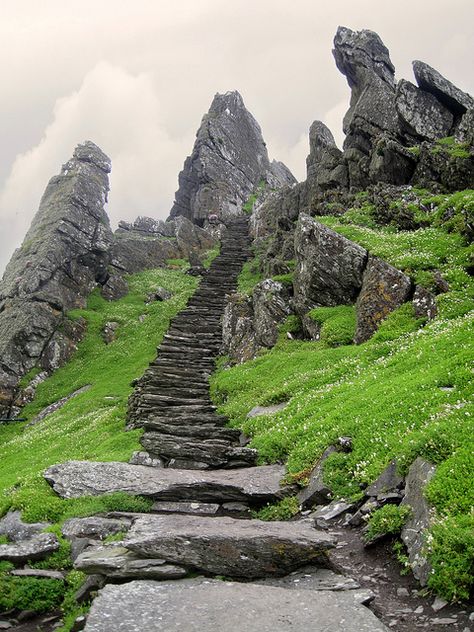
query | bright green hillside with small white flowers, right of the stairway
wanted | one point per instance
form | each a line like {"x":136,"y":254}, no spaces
{"x":406,"y":392}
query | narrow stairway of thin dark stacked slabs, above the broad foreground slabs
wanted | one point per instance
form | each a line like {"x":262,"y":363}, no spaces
{"x":172,"y":402}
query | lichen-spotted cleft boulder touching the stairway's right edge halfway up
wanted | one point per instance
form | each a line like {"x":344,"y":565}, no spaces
{"x":251,"y":323}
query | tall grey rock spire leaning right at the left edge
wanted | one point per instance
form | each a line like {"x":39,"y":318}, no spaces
{"x":64,"y":255}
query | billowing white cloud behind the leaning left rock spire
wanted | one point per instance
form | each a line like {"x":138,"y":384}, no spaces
{"x":120,"y":112}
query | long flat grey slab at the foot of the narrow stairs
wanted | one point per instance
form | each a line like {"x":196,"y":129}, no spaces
{"x":86,"y":478}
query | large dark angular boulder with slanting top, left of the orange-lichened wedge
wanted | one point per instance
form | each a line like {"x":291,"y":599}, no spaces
{"x":329,"y":267}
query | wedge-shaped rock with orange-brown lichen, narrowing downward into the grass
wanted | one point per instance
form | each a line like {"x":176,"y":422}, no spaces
{"x":384,"y":289}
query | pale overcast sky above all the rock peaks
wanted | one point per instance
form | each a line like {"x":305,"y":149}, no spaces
{"x":136,"y":76}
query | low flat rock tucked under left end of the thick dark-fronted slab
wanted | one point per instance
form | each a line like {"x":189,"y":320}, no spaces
{"x":118,"y":562}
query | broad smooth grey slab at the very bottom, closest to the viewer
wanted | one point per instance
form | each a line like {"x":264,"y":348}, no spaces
{"x":195,"y":605}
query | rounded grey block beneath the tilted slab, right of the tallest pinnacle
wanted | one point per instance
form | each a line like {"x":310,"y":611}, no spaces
{"x":421,"y":113}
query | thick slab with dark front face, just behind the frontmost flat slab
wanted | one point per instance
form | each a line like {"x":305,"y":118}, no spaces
{"x":229,"y":546}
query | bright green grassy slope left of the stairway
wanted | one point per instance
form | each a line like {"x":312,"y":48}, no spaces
{"x":89,"y":427}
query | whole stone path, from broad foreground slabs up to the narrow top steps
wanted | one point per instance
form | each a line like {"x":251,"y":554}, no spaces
{"x":204,"y":483}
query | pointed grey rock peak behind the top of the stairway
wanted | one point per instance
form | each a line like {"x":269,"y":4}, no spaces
{"x":228,"y":161}
